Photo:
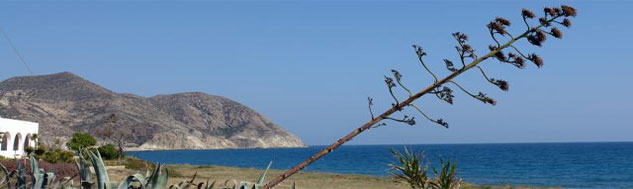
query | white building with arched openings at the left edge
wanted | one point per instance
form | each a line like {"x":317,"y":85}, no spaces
{"x":16,"y":135}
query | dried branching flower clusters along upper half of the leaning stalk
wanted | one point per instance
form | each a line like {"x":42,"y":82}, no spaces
{"x":536,"y":34}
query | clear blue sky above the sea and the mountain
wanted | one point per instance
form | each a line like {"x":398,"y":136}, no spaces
{"x":310,"y":66}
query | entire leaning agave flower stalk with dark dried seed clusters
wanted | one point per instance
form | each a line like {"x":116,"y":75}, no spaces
{"x":536,"y":33}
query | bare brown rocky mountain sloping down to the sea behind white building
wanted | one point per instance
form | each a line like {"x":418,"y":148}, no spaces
{"x":65,"y":103}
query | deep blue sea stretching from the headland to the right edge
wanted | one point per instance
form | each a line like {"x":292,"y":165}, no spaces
{"x":573,"y":165}
